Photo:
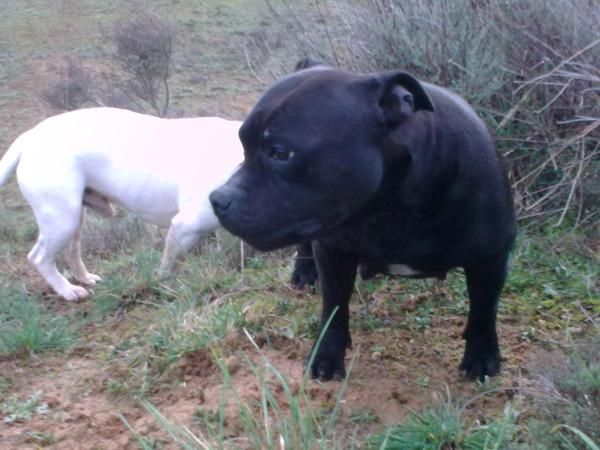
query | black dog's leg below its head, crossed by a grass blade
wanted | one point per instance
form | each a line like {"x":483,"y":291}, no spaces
{"x":337,"y":270}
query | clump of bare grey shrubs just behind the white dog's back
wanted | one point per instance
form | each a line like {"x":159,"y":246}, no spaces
{"x":143,"y":51}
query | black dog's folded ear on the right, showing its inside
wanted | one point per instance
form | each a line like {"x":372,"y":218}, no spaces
{"x":400,"y":94}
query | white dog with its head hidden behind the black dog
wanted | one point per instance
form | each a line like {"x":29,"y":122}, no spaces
{"x":160,"y":169}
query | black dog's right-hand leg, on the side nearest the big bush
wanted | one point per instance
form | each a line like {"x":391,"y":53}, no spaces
{"x":482,"y":353}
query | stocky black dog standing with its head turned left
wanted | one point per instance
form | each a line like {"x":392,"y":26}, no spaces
{"x":379,"y":170}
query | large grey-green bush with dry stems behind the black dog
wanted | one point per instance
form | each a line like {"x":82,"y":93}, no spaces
{"x":530,"y":68}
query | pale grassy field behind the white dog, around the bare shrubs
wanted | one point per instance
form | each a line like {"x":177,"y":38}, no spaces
{"x":42,"y":34}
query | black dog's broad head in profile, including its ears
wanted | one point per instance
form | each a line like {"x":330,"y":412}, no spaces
{"x":313,"y":152}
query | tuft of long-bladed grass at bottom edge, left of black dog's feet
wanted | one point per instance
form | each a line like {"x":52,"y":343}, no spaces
{"x":283,"y":417}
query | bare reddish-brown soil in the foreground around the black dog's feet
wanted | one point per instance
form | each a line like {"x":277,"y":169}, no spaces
{"x":406,"y":372}
